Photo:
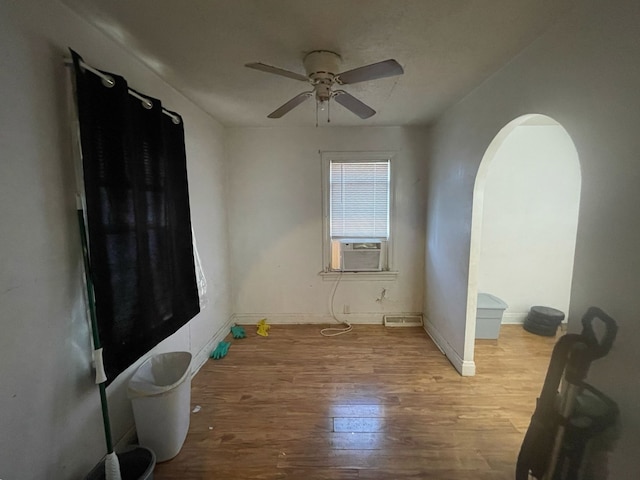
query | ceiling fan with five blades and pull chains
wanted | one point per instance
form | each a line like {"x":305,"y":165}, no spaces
{"x":322,"y":67}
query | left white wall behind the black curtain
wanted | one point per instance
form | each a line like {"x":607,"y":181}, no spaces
{"x":50,"y":419}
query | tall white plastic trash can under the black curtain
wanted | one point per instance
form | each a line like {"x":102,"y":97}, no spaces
{"x":160,"y":393}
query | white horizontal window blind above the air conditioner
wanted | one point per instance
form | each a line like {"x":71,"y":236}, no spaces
{"x":359,"y":199}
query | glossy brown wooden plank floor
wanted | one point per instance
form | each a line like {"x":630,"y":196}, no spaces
{"x":377,"y":403}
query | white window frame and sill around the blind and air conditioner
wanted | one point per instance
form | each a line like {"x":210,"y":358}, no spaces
{"x":356,"y":157}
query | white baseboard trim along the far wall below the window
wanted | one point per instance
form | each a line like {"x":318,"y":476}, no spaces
{"x":312,"y":319}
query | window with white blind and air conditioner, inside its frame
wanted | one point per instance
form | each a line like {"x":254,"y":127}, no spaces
{"x":357,"y":203}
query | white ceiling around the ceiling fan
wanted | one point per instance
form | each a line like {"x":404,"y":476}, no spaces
{"x":447,"y":47}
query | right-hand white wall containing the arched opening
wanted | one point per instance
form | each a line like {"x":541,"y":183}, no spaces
{"x":583,"y":73}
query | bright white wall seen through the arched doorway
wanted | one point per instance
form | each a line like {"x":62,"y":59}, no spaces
{"x":530,"y":219}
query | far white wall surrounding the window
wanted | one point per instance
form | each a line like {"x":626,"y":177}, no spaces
{"x":275,"y":211}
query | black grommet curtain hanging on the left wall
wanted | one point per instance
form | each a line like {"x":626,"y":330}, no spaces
{"x":139,"y":225}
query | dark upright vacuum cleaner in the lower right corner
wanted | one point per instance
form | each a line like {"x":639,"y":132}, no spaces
{"x":572,"y":424}
